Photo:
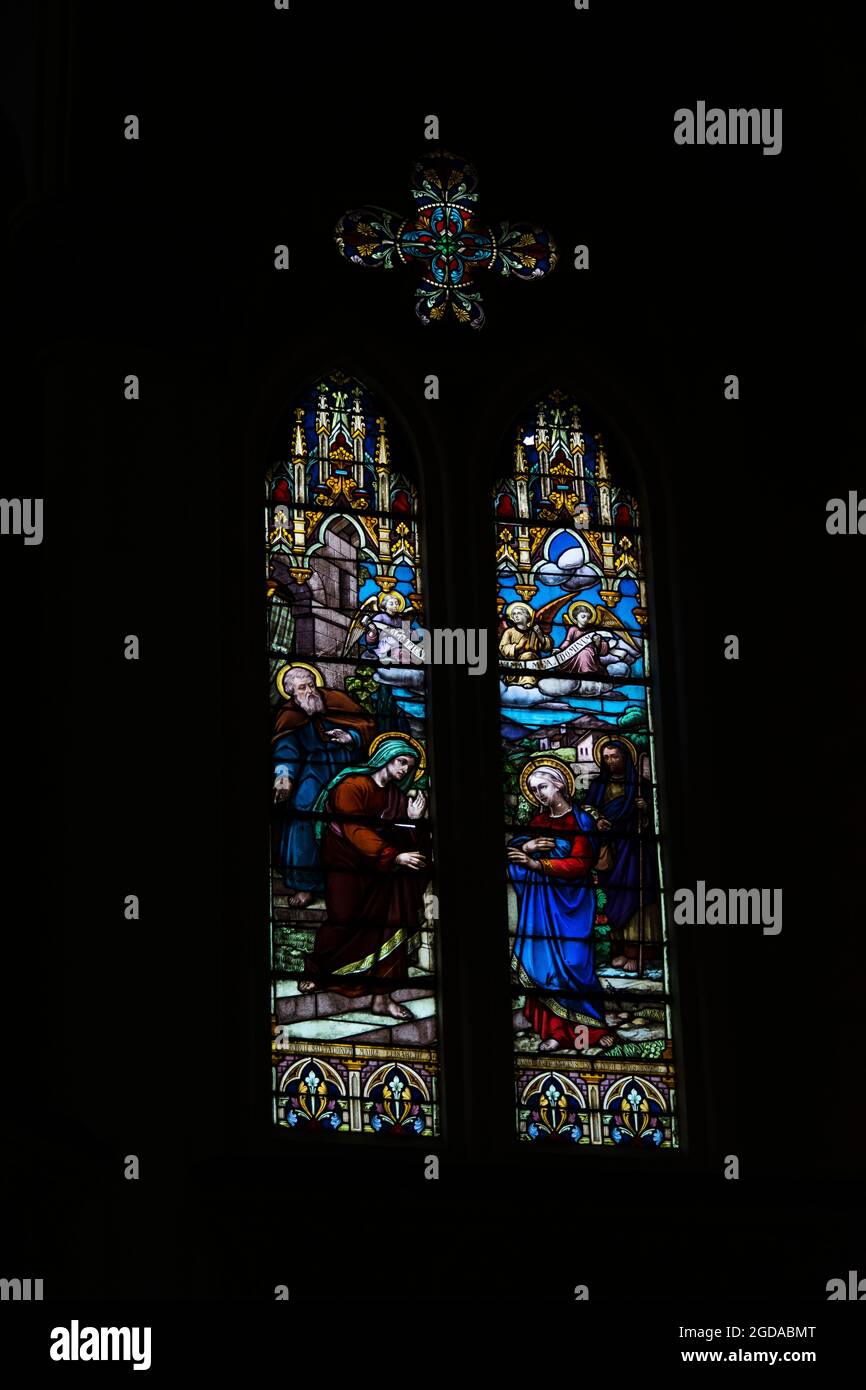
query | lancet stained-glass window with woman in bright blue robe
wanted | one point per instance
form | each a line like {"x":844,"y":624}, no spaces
{"x":586,"y":935}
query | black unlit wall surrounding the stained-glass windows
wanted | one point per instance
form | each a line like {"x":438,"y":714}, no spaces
{"x":158,"y":258}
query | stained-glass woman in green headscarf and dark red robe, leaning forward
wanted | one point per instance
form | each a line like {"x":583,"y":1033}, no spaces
{"x":375,"y":856}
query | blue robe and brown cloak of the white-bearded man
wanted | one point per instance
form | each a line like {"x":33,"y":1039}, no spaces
{"x":304,"y":753}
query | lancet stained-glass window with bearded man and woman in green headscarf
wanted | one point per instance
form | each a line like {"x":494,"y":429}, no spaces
{"x":354,"y":914}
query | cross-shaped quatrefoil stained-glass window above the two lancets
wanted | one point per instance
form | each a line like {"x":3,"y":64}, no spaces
{"x":446,"y":240}
